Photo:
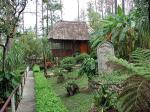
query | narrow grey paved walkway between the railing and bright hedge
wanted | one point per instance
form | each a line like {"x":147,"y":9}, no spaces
{"x":27,"y":103}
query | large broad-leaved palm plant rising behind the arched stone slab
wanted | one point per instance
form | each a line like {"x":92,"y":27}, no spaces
{"x":120,"y":30}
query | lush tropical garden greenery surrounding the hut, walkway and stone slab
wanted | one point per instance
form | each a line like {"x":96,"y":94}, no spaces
{"x":73,"y":84}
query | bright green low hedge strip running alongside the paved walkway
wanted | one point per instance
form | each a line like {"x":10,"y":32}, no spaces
{"x":46,"y":99}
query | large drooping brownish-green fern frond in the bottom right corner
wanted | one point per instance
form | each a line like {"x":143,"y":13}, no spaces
{"x":136,"y":95}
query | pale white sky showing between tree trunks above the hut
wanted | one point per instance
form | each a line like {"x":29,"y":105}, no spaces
{"x":70,"y":11}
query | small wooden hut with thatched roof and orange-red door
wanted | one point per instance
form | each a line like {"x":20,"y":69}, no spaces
{"x":68,"y":38}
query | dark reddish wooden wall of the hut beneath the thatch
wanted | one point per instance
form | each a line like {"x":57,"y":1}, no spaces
{"x":63,"y":48}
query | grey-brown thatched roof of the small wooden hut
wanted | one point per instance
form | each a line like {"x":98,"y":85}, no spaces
{"x":69,"y":30}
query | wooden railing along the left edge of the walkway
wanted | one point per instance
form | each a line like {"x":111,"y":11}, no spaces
{"x":15,"y":97}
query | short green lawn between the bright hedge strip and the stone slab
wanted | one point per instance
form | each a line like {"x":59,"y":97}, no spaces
{"x":80,"y":102}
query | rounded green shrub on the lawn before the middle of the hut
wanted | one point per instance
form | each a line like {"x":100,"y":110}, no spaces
{"x":67,"y":63}
